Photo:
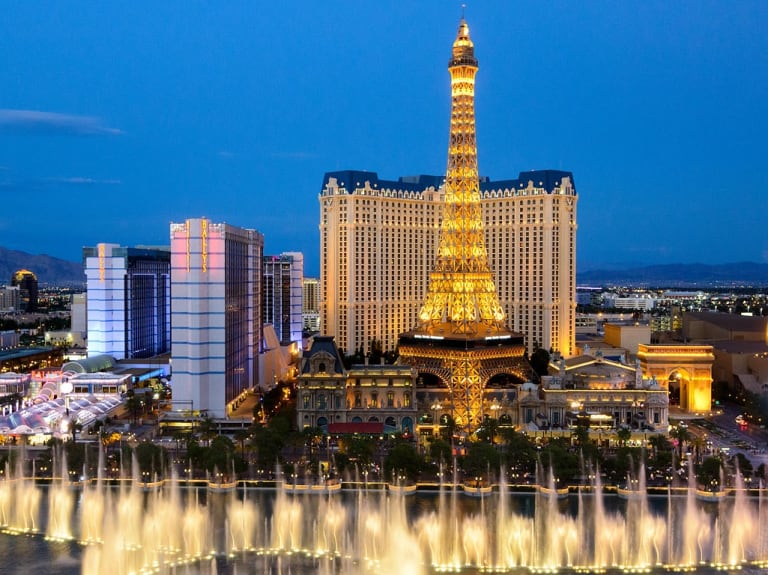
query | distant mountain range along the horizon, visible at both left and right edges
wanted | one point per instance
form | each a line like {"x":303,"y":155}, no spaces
{"x":55,"y":271}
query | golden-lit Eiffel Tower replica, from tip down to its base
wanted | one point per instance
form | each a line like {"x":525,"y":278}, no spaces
{"x":461,"y":336}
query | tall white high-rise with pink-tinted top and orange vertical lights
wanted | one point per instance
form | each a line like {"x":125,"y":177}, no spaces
{"x":216,"y":271}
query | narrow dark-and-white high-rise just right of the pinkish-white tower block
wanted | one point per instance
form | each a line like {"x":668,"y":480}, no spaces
{"x":281,"y":295}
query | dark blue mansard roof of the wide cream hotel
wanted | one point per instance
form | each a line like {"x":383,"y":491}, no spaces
{"x":353,"y":179}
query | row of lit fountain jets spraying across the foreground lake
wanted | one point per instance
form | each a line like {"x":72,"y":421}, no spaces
{"x":127,"y":529}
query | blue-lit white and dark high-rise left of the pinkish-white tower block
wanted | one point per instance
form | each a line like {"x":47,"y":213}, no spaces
{"x":128,"y":301}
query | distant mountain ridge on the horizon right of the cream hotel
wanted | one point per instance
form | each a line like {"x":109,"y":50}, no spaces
{"x":681,"y":275}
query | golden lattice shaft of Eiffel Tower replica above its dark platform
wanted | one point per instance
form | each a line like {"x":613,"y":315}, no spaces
{"x":462,"y":295}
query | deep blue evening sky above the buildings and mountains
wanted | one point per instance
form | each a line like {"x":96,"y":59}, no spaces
{"x":117,"y":118}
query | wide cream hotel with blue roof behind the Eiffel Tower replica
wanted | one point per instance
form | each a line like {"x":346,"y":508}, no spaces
{"x":377,"y":246}
